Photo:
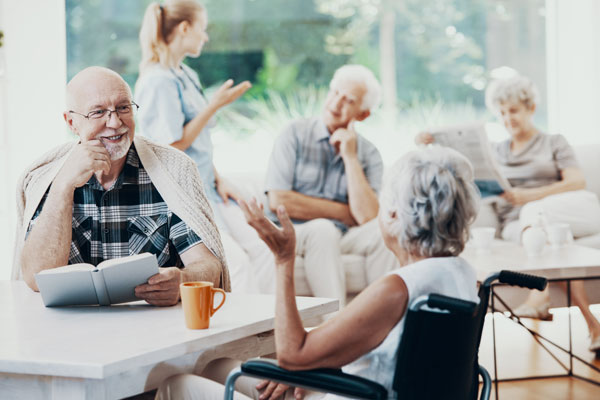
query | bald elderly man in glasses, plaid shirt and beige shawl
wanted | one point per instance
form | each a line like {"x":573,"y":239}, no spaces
{"x":108,"y":195}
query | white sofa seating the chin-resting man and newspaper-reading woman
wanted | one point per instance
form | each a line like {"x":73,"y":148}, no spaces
{"x":354,"y":264}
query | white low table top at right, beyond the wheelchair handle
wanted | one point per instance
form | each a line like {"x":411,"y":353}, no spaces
{"x":565,"y":262}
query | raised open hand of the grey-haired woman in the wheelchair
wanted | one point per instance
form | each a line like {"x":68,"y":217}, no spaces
{"x":281,"y":241}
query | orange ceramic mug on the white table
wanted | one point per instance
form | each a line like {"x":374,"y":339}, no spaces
{"x":197,"y":299}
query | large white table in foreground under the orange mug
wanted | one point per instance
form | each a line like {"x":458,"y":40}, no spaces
{"x":119,"y":351}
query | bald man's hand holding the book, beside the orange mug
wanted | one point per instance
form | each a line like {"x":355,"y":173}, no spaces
{"x":162,"y":289}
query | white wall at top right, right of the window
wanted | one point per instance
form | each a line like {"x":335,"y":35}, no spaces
{"x":573,"y":60}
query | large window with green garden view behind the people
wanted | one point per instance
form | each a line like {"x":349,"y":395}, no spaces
{"x":433,"y":58}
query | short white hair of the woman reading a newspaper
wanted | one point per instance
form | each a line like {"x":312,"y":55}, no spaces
{"x":516,"y":89}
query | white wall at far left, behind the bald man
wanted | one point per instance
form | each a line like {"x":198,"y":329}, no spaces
{"x":32,"y":98}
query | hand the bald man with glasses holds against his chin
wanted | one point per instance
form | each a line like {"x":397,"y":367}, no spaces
{"x":85,"y":159}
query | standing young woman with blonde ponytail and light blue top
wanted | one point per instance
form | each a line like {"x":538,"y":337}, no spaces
{"x":175,"y":111}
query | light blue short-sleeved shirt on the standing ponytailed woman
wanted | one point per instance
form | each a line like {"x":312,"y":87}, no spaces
{"x":169,"y":98}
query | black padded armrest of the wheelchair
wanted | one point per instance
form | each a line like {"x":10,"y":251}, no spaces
{"x":323,"y":380}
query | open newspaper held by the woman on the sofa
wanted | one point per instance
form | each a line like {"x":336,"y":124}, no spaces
{"x":471,"y":141}
